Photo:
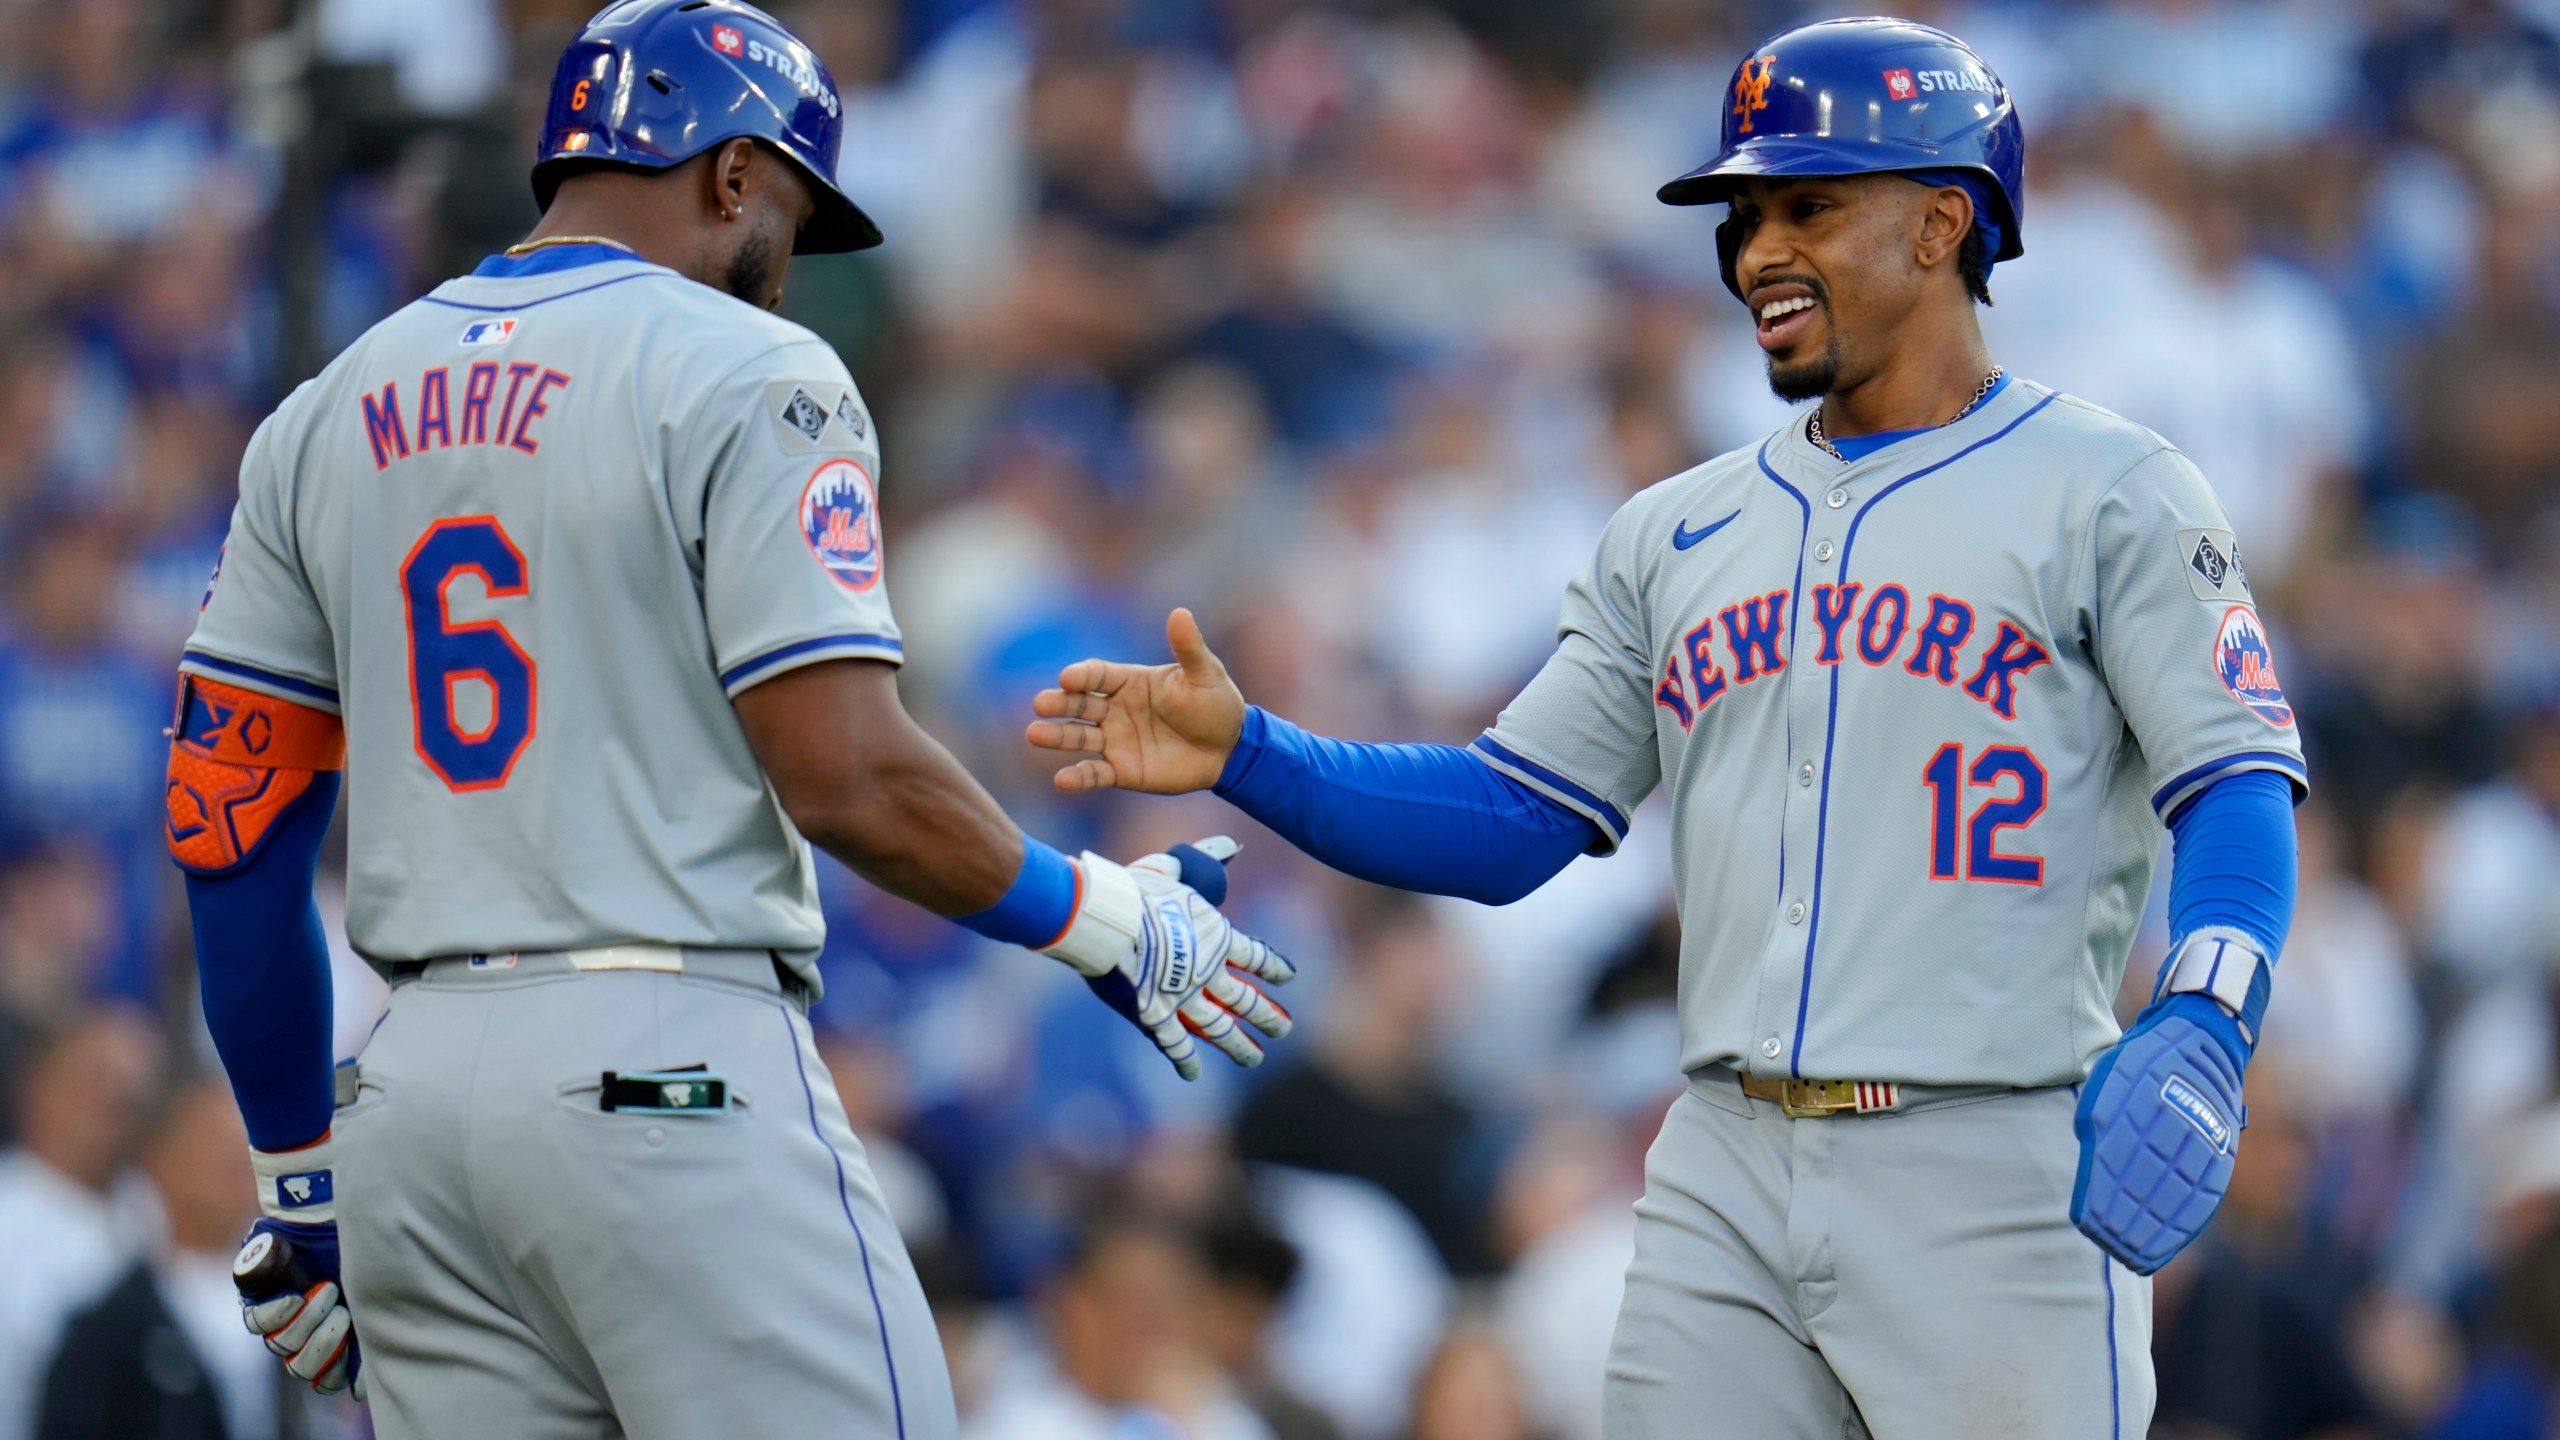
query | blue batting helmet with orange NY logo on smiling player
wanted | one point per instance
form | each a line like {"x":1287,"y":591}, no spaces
{"x":1860,"y":99}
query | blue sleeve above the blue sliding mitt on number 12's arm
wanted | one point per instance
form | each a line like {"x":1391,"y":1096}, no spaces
{"x":2234,"y":860}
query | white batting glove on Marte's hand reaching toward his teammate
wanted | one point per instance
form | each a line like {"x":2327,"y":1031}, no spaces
{"x":1161,"y":954}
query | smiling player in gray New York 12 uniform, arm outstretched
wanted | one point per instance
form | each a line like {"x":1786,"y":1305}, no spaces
{"x":1924,"y":673}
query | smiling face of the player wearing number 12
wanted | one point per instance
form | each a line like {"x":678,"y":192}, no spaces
{"x":1837,"y":265}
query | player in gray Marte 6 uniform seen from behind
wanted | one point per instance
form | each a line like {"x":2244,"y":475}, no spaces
{"x":575,"y":573}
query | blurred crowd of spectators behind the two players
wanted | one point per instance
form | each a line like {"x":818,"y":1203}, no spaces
{"x":1345,"y":324}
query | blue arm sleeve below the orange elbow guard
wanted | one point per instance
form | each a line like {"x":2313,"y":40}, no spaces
{"x":262,"y":967}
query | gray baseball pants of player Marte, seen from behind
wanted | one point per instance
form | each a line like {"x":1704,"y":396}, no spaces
{"x":526,"y":1264}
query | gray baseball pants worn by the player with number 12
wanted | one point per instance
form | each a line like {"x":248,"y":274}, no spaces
{"x":1896,"y":1277}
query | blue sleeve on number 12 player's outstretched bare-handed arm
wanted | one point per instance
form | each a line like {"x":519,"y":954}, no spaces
{"x":1425,"y":819}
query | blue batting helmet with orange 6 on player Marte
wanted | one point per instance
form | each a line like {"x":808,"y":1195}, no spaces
{"x":654,"y":83}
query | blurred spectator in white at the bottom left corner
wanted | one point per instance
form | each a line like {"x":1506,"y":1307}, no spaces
{"x":70,"y":1208}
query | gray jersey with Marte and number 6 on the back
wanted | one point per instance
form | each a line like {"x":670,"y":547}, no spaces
{"x":529,"y":537}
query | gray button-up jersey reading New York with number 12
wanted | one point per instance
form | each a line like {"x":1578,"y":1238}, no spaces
{"x":1921,"y":719}
